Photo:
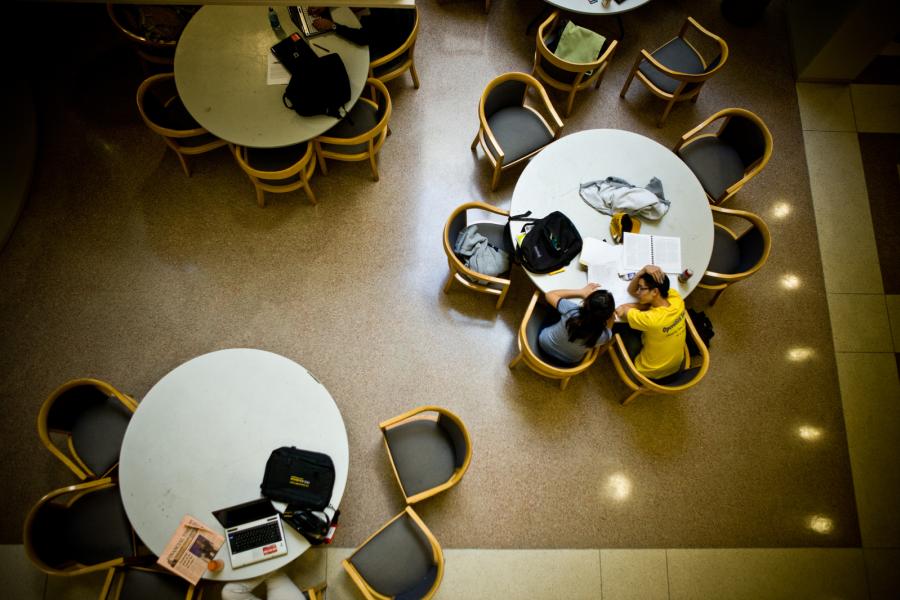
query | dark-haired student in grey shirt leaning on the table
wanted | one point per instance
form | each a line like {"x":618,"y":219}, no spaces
{"x":580,"y":327}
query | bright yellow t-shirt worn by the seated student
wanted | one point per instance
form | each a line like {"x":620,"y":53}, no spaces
{"x":663,"y":337}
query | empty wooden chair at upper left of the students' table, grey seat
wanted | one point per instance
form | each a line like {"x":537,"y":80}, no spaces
{"x":509,"y":131}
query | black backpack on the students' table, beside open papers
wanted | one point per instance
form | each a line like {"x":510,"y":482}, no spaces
{"x":549,"y":244}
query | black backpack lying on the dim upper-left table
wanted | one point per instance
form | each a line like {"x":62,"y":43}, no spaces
{"x":319,"y":84}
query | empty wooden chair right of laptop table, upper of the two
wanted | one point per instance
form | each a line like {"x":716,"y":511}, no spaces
{"x":429,"y":449}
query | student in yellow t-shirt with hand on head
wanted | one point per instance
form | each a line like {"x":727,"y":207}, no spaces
{"x":659,"y":315}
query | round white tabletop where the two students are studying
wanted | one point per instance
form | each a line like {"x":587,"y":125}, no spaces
{"x":552,"y":179}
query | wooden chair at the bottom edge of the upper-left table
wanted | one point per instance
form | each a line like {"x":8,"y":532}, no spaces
{"x":278,"y":170}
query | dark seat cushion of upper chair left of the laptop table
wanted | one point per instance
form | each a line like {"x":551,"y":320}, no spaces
{"x":97,"y":434}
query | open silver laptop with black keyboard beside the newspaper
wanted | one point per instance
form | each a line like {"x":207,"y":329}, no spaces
{"x":253,"y":532}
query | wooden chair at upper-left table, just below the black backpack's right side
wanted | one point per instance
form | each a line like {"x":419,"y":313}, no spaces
{"x":359,"y":135}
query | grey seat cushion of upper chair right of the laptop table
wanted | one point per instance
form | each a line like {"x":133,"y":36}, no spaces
{"x":422,"y":453}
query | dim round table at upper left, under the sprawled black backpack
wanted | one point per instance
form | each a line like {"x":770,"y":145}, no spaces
{"x":220,"y":72}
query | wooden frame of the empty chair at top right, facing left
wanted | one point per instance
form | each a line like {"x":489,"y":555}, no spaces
{"x":684,"y":79}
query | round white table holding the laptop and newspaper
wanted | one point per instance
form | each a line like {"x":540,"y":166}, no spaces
{"x":201,"y":436}
